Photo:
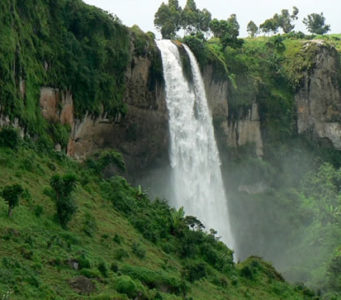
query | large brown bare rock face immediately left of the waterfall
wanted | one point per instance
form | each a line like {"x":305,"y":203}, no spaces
{"x":142,"y":136}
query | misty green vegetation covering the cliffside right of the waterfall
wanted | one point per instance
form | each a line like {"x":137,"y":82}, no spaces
{"x":293,"y":217}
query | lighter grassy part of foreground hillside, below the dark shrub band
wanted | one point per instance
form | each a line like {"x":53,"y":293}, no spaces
{"x":35,"y":250}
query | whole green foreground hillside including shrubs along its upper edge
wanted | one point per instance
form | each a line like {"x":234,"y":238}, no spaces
{"x":118,"y":245}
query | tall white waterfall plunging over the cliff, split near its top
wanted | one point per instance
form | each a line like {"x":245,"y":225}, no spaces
{"x":197,"y":181}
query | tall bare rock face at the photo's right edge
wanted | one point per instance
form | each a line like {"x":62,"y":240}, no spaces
{"x":319,"y":99}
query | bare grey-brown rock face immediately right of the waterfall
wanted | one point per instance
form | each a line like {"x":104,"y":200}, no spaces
{"x":231,"y":134}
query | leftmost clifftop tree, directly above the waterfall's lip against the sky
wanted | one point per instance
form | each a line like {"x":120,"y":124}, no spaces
{"x":168,"y":18}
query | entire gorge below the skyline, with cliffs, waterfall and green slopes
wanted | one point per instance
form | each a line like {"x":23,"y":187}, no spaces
{"x":82,"y":94}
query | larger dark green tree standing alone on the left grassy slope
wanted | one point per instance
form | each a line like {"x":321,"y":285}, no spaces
{"x":62,"y":188}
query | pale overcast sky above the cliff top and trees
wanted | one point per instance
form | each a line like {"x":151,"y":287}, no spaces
{"x":141,"y":12}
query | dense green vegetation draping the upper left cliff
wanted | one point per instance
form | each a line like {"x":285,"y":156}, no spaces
{"x":66,"y":45}
